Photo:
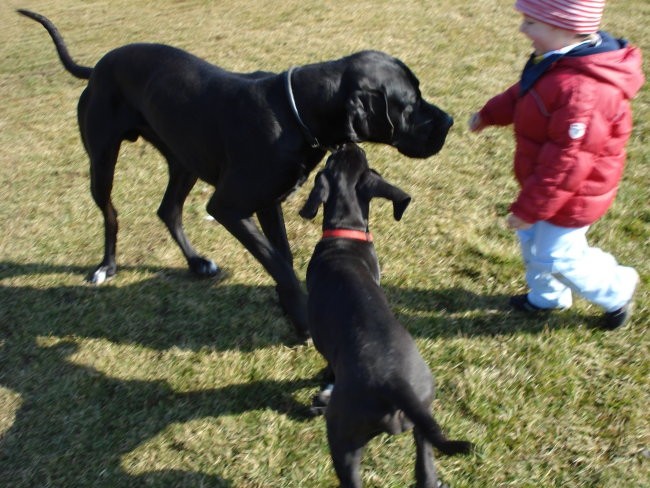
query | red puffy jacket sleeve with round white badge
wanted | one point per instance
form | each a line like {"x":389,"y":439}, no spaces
{"x":576,"y":133}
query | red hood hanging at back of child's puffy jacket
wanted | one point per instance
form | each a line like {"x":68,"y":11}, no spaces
{"x":620,"y":67}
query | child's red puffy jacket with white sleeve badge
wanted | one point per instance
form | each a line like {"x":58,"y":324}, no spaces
{"x":570,"y":128}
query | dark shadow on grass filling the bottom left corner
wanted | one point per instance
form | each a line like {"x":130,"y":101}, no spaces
{"x":75,"y":426}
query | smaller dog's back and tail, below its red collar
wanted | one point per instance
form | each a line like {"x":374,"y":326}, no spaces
{"x":373,"y":357}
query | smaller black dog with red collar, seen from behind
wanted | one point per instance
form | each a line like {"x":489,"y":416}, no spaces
{"x":382,"y":382}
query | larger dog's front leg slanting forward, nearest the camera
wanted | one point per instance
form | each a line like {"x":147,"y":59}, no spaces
{"x":292,"y":299}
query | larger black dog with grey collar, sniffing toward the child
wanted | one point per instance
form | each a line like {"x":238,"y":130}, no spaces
{"x":254,"y":137}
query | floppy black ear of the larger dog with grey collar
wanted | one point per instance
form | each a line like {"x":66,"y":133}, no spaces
{"x":368,"y":118}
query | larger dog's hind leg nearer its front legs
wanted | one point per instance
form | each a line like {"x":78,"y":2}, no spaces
{"x":170,"y":212}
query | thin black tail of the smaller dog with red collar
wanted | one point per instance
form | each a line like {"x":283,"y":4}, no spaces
{"x":405,"y":399}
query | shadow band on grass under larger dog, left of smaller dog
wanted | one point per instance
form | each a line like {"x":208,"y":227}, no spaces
{"x":166,"y":308}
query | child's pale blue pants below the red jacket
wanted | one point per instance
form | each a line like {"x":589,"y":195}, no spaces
{"x":558,"y":261}
